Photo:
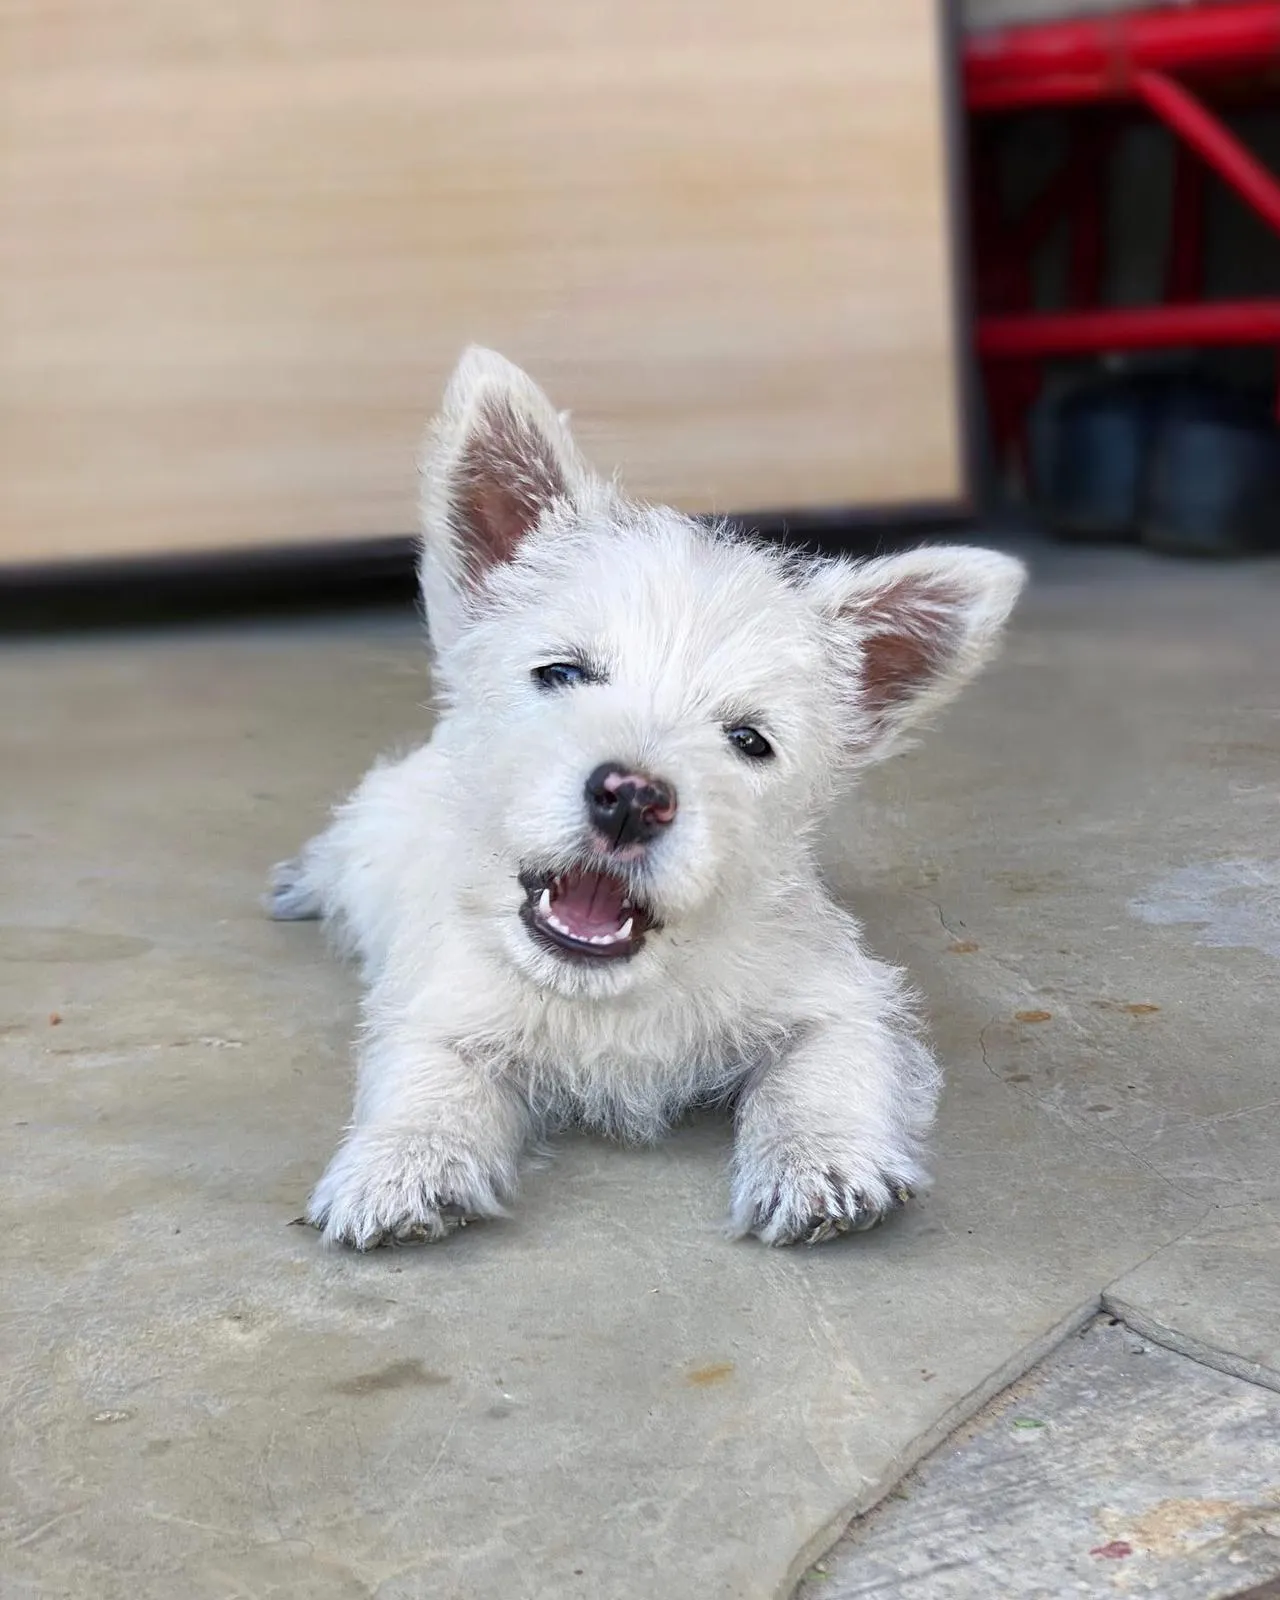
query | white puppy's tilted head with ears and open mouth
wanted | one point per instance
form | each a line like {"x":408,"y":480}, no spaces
{"x":649,"y":716}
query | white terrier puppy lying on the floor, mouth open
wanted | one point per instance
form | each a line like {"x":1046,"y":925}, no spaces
{"x":593,"y":897}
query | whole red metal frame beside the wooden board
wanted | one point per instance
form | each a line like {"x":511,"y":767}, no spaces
{"x":1124,"y":58}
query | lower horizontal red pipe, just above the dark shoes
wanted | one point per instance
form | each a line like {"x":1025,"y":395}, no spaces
{"x":1130,"y":329}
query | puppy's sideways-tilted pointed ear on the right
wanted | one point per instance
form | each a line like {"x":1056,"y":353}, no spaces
{"x":911,"y":631}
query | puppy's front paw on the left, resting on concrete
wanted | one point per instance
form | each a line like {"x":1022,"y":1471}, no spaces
{"x":394,"y":1190}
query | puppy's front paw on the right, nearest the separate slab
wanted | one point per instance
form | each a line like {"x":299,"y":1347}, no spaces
{"x":793,"y":1201}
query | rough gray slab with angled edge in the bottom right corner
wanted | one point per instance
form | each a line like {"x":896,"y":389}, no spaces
{"x":1114,"y":1468}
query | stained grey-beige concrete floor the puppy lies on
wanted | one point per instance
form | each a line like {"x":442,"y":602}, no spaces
{"x":604,"y":1398}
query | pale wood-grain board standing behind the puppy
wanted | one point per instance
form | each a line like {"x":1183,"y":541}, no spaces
{"x":244,"y":244}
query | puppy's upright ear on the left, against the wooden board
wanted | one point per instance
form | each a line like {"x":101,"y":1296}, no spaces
{"x":495,"y":460}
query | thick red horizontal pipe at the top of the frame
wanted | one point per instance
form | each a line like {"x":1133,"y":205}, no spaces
{"x":1062,"y":63}
